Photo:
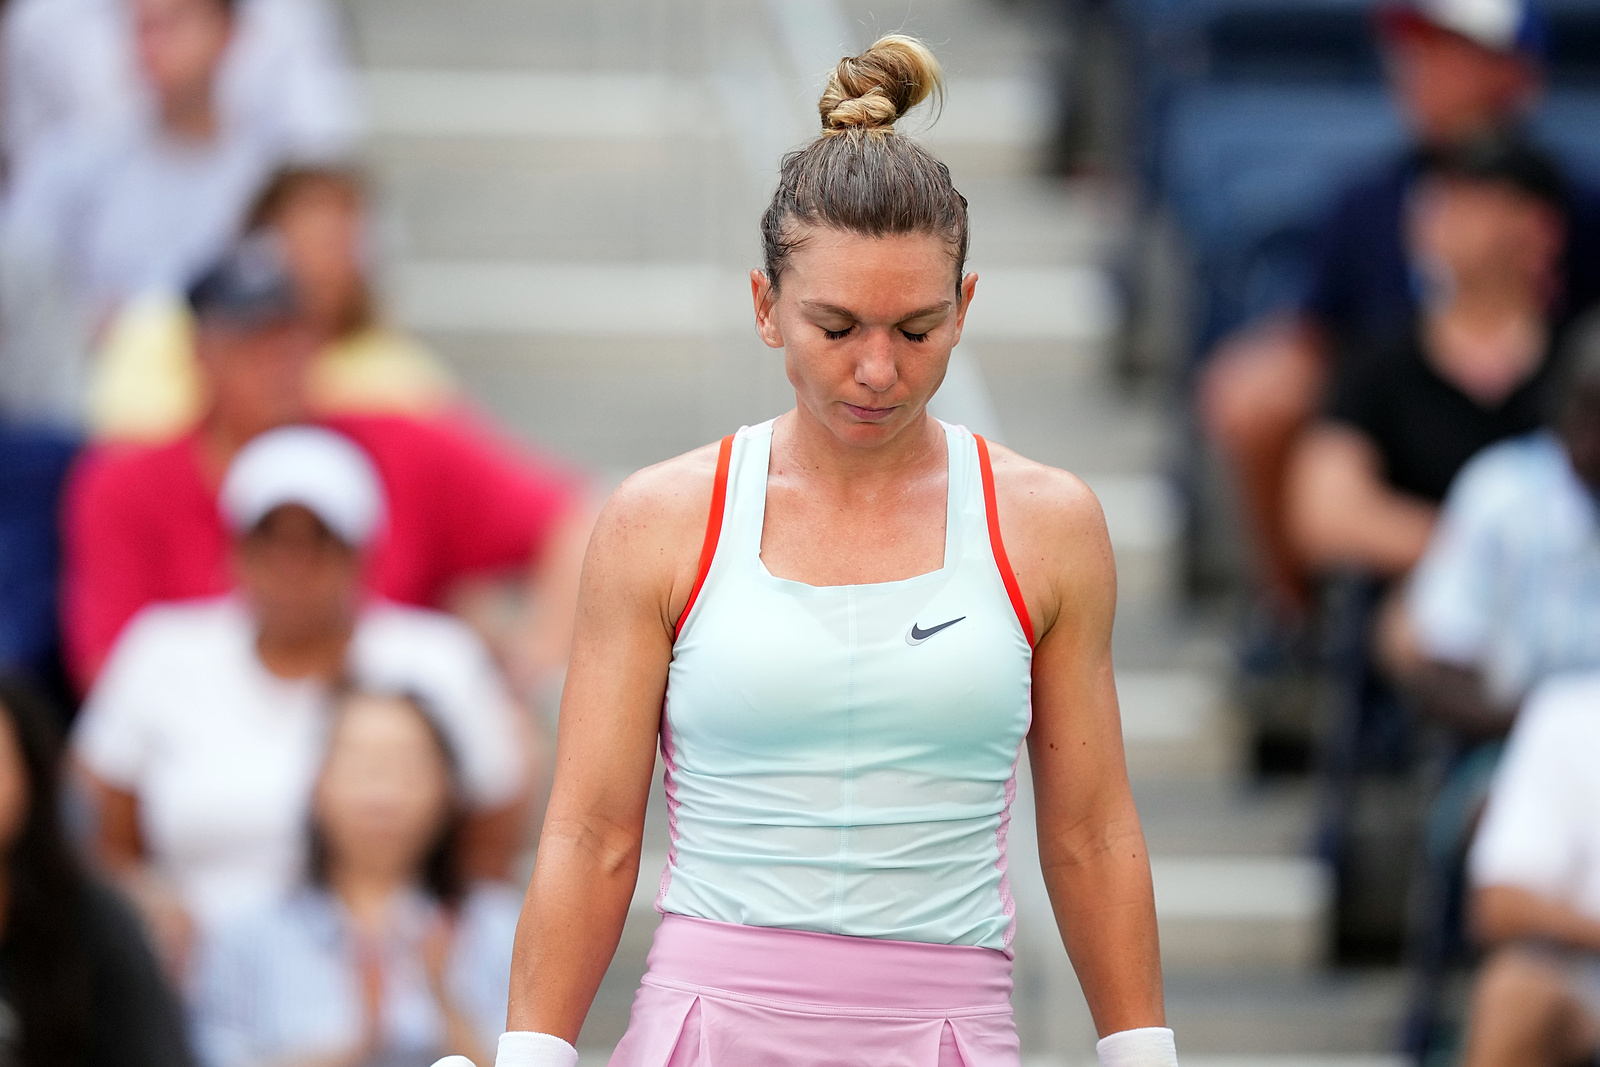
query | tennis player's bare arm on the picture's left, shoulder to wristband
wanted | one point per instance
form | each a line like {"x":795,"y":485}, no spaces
{"x":636,"y":580}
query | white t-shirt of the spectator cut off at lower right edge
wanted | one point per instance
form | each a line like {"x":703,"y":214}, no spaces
{"x":1542,"y":831}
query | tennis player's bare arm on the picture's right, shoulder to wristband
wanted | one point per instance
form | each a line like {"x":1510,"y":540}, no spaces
{"x":1090,"y":842}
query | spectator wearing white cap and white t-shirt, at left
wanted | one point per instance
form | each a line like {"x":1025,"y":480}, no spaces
{"x":202,"y":738}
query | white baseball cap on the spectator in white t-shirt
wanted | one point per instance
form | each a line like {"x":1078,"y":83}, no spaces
{"x":321,"y":471}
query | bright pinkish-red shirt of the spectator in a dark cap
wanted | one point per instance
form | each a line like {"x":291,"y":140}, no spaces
{"x":142,"y":524}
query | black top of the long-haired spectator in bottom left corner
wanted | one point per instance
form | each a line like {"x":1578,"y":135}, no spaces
{"x":135,"y":1017}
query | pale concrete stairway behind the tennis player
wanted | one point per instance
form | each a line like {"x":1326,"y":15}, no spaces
{"x":570,"y":204}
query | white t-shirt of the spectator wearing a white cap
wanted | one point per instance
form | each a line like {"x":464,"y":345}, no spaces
{"x":223,"y":754}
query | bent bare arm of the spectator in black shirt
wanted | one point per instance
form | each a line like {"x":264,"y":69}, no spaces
{"x":1342,"y":513}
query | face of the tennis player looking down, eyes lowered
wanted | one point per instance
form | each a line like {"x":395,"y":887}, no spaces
{"x":868,"y":326}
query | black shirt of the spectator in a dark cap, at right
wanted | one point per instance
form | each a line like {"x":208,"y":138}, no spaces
{"x":1423,"y":426}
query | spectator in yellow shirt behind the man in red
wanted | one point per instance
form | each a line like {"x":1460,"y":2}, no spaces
{"x":146,"y":383}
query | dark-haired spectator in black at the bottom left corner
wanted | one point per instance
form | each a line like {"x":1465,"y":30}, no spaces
{"x":79,"y":986}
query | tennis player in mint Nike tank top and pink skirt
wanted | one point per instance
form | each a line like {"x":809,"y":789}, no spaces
{"x":842,"y":626}
